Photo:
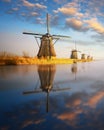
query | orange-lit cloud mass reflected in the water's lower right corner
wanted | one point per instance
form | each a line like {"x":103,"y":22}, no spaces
{"x":77,"y":107}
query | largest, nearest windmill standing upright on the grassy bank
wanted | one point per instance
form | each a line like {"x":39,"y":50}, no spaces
{"x":46,"y":46}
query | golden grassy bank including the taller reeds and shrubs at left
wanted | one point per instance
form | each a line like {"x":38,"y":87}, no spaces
{"x":12,"y":59}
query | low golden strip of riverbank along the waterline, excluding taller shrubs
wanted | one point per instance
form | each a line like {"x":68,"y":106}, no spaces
{"x":31,"y":61}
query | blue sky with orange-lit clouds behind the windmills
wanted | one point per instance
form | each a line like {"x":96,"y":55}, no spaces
{"x":82,"y":20}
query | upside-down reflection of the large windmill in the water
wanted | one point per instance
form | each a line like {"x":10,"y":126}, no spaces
{"x":46,"y":76}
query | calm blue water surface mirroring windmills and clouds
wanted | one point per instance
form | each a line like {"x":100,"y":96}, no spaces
{"x":65,"y":97}
